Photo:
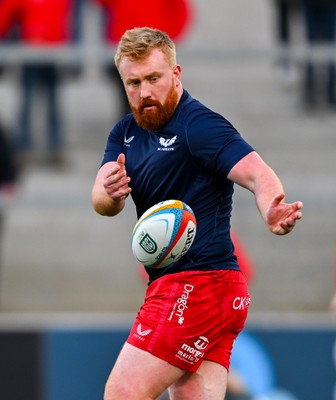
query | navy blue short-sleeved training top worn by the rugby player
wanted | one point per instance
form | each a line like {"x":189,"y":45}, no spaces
{"x":189,"y":160}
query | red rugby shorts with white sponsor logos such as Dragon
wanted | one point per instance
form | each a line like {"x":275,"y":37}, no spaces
{"x":191,"y":316}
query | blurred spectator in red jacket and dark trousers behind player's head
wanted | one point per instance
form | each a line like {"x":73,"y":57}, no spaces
{"x":173,"y":17}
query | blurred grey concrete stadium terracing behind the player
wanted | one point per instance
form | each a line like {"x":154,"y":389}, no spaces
{"x":60,"y":257}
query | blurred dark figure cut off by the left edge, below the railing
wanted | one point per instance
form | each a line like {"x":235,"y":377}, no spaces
{"x":8,"y":179}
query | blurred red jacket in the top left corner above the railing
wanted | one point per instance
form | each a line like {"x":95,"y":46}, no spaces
{"x":40,"y":22}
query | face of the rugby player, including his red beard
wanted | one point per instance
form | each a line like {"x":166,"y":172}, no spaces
{"x":153,"y":89}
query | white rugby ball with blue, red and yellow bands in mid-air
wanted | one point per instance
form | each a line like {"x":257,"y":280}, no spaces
{"x":163,"y":234}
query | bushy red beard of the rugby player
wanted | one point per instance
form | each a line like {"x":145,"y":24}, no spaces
{"x":157,"y":117}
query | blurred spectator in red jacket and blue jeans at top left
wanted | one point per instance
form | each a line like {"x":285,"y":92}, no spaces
{"x":40,"y":23}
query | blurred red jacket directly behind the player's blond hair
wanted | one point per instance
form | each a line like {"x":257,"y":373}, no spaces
{"x":171,"y":16}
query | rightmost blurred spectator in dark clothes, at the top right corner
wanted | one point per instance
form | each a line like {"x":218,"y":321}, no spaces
{"x":320,"y":22}
